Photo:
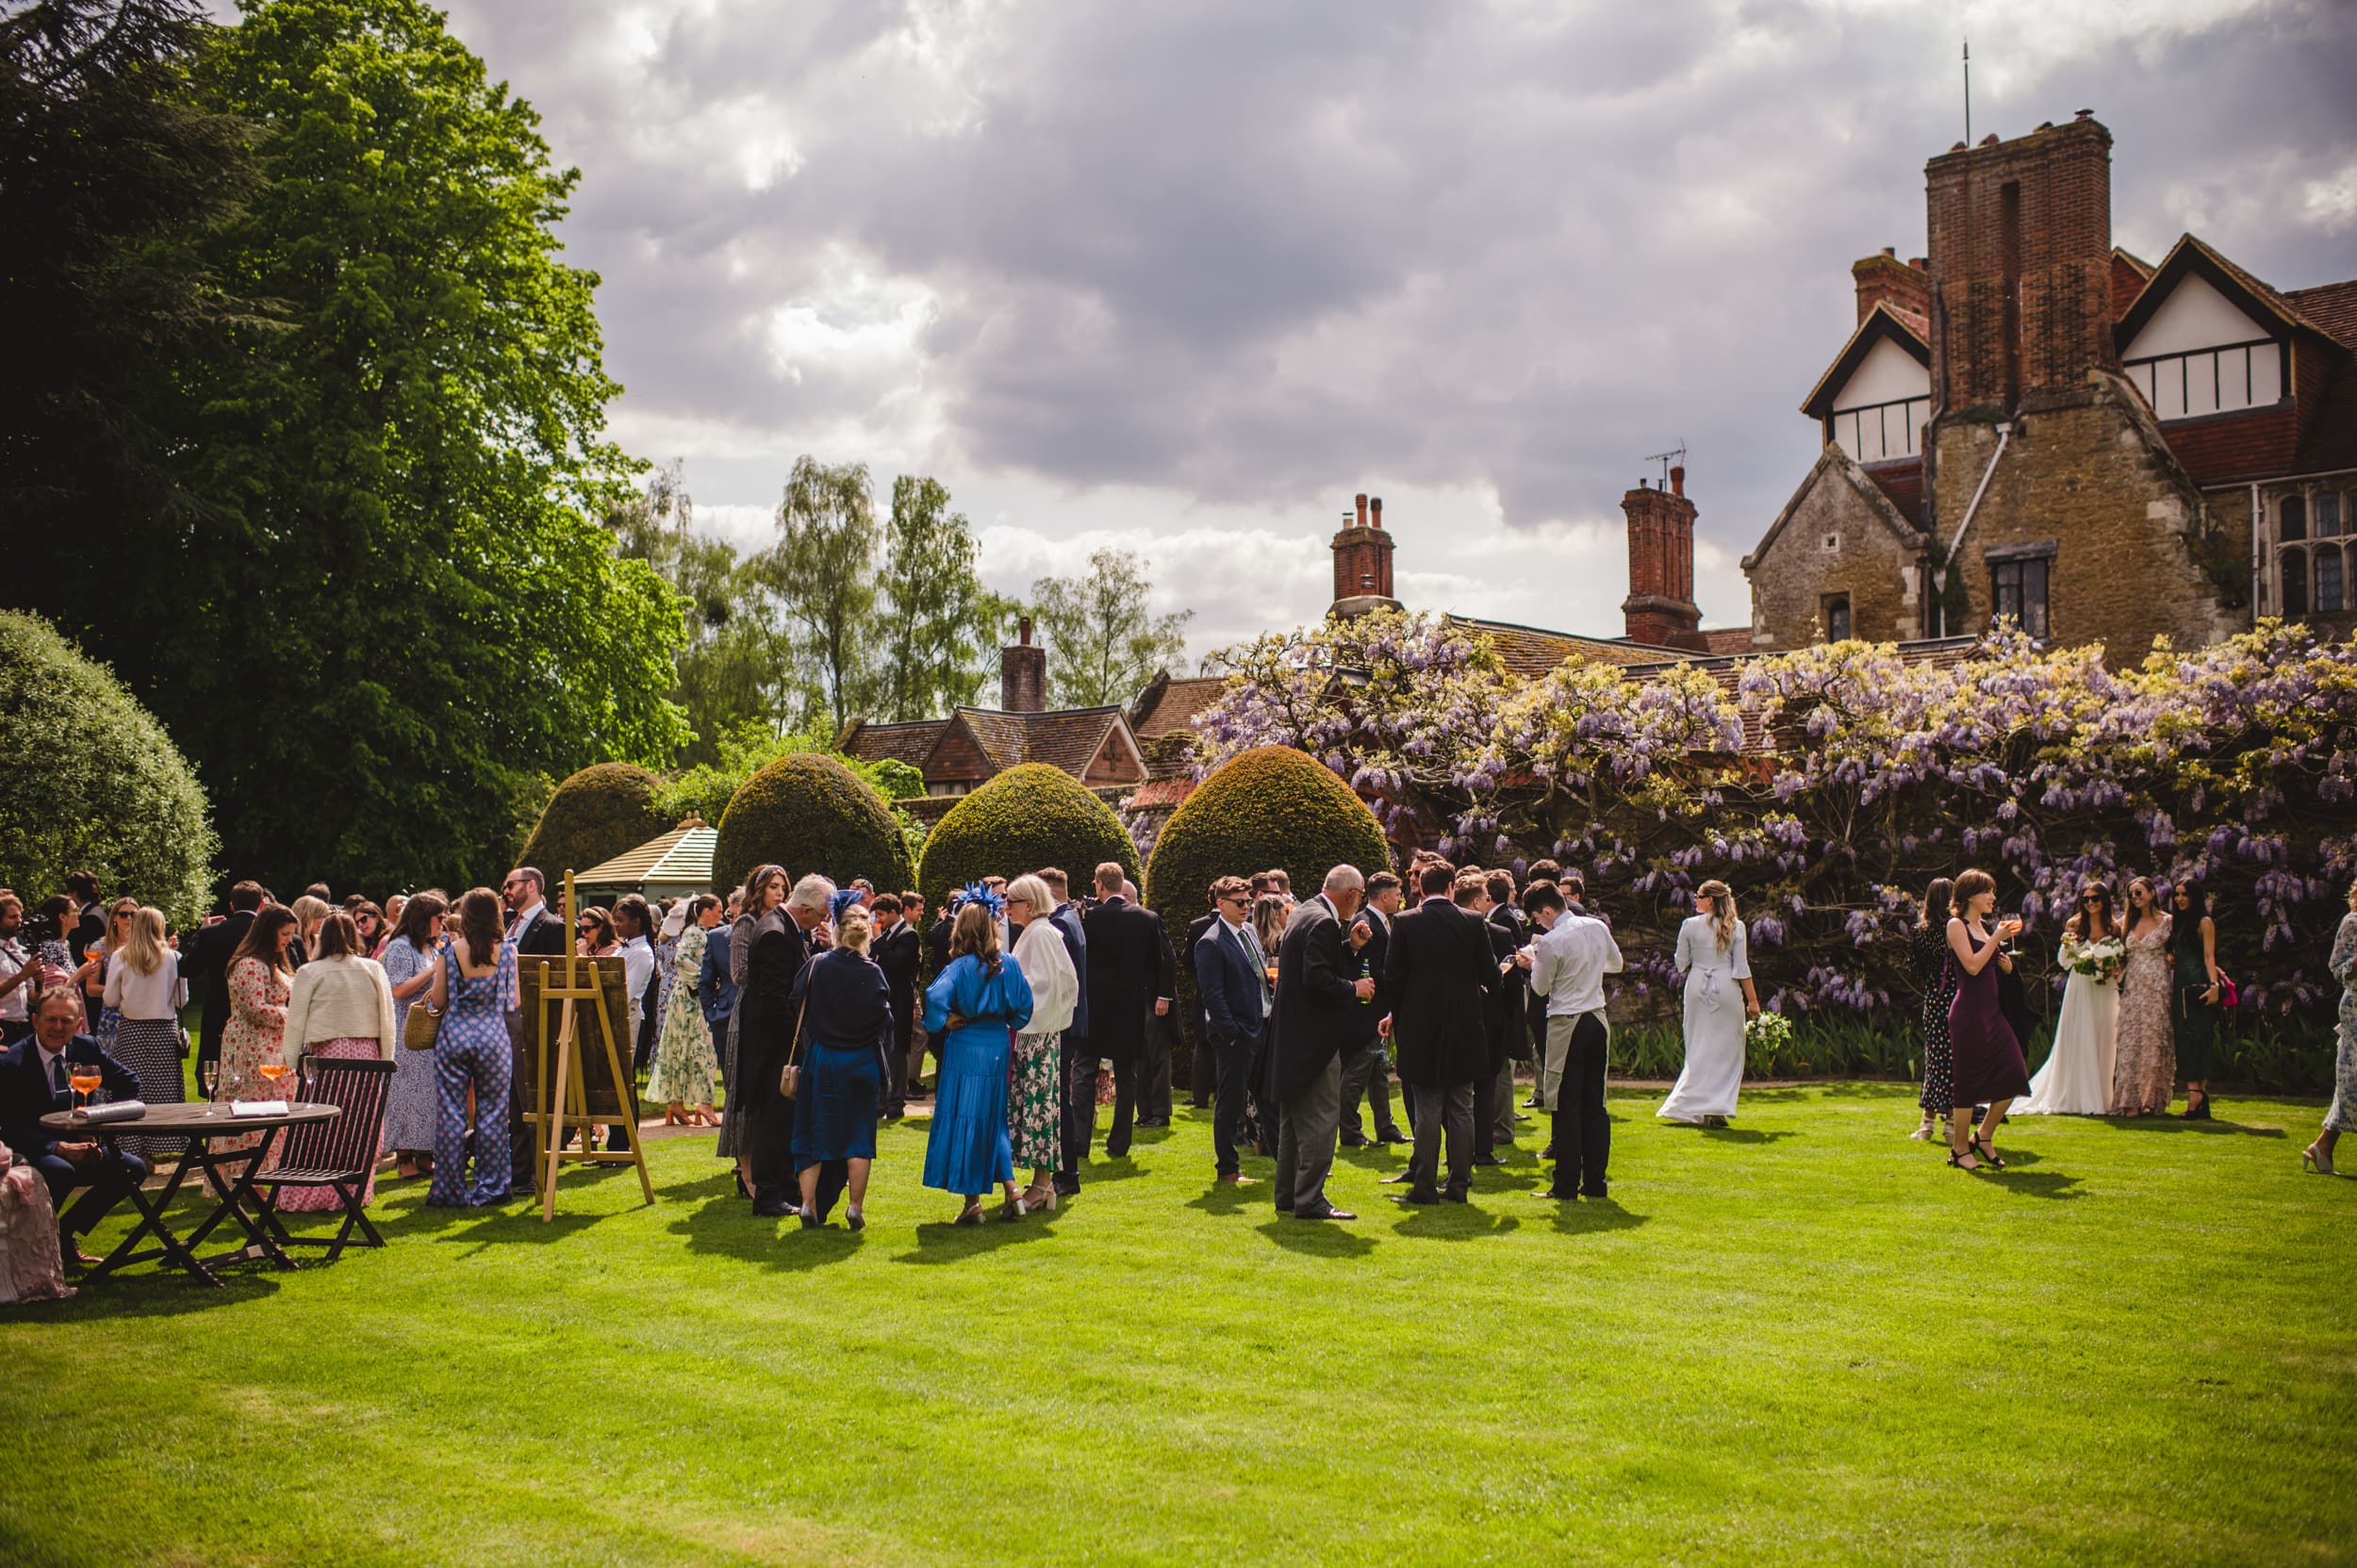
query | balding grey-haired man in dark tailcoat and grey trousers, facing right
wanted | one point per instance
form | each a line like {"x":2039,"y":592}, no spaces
{"x":1319,"y":1001}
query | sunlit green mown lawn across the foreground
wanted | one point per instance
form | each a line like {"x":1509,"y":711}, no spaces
{"x":1797,"y":1343}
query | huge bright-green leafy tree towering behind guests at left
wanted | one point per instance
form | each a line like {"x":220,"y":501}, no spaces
{"x":388,"y":598}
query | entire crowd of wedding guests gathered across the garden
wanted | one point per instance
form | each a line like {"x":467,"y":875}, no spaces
{"x":795,"y":1017}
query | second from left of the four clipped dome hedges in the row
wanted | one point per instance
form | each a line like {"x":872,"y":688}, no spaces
{"x":810,"y":815}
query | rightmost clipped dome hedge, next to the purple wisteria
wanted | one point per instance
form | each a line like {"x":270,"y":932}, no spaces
{"x":1262,"y":810}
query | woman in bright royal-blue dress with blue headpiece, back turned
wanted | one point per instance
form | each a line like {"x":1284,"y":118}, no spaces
{"x":975,"y":1008}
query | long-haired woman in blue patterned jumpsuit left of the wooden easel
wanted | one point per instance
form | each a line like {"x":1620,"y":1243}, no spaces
{"x":473,"y":989}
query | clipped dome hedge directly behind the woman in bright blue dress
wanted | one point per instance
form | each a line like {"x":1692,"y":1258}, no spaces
{"x":1019,"y":822}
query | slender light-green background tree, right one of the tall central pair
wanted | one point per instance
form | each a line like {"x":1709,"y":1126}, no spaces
{"x":939,"y":621}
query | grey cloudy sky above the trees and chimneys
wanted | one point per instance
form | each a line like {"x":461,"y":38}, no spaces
{"x":1187,"y":277}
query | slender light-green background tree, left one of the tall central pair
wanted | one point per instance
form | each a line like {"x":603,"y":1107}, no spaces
{"x":824,"y":577}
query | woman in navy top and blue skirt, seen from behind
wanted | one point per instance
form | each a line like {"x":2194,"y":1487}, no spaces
{"x":845,"y":1013}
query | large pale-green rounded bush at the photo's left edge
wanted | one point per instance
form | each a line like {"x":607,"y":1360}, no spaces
{"x":93,"y":782}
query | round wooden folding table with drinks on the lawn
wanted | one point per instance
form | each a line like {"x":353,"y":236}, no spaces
{"x":202,"y":1126}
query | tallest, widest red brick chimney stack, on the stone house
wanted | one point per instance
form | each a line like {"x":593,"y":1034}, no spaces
{"x":2021,"y":265}
